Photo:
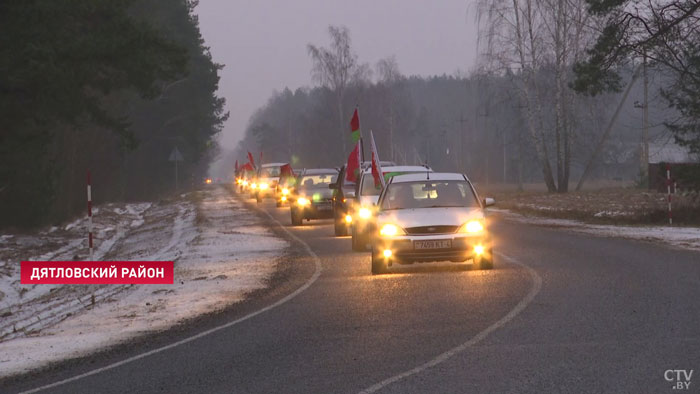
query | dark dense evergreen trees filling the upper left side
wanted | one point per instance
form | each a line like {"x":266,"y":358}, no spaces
{"x":110,"y":86}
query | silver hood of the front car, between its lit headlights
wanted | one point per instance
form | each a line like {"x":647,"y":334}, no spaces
{"x":430,"y":216}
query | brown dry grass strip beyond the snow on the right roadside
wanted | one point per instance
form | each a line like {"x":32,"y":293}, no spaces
{"x":611,"y":205}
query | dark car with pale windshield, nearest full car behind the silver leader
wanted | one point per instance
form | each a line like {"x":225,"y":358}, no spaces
{"x":312,"y":197}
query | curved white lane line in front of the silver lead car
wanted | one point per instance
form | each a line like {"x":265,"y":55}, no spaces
{"x":536,"y":287}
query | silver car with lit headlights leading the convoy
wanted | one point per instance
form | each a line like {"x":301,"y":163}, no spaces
{"x":428,"y":217}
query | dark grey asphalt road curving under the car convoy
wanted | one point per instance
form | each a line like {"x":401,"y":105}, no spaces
{"x":561,"y":312}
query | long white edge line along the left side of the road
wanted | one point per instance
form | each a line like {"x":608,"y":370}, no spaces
{"x":314,"y":277}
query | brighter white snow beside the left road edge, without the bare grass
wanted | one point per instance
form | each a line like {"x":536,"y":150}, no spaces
{"x":216,"y":264}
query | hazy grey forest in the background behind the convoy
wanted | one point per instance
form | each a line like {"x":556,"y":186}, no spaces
{"x":497,"y":124}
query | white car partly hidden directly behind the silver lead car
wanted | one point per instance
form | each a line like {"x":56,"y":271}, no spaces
{"x":367,"y":194}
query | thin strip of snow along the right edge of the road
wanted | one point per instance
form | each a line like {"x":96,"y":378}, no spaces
{"x":681,"y":237}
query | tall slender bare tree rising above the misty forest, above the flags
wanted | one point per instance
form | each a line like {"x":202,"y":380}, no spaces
{"x":336,"y":67}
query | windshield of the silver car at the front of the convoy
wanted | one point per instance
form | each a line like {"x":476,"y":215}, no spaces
{"x":429,"y":194}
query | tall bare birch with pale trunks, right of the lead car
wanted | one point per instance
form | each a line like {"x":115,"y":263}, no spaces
{"x":528,"y":36}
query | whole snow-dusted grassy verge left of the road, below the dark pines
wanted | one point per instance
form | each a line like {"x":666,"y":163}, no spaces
{"x":221,"y":252}
